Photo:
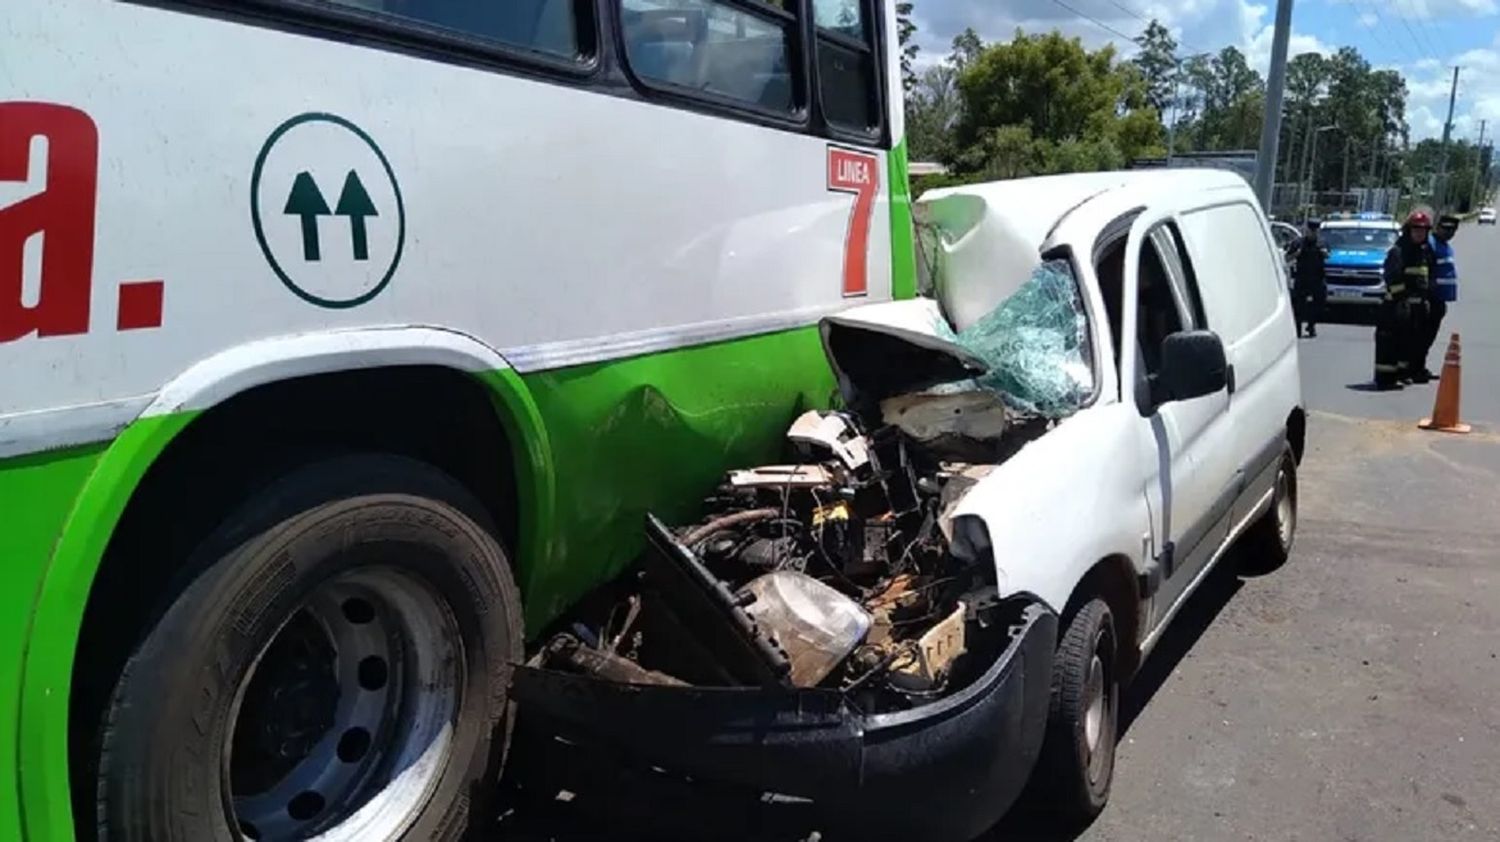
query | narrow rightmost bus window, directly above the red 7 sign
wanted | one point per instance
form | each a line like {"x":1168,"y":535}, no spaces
{"x":847,"y":65}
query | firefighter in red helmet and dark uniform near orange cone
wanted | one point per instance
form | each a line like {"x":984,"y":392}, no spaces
{"x":1402,"y":332}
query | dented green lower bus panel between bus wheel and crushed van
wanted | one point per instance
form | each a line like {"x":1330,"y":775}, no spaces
{"x":655,"y":435}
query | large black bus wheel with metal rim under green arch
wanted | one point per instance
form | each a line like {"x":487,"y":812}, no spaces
{"x":337,"y":667}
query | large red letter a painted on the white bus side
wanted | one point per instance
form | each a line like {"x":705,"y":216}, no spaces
{"x":64,"y":214}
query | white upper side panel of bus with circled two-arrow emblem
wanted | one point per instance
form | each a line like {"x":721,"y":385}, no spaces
{"x":245,"y":182}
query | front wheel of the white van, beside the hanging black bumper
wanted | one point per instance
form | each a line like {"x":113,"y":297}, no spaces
{"x":1078,"y":759}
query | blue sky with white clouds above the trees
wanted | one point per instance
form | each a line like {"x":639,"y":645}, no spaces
{"x":1421,"y":38}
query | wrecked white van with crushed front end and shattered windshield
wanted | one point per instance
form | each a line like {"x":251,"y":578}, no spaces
{"x":1034,"y":466}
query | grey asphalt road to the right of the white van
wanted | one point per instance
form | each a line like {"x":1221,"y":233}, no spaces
{"x":1351,"y":696}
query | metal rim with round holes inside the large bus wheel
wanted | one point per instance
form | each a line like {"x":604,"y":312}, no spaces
{"x":344,"y":726}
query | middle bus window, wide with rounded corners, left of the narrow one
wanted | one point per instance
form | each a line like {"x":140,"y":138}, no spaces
{"x":707,"y":46}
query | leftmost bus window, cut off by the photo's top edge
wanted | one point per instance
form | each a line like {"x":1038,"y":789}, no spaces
{"x":547,"y":26}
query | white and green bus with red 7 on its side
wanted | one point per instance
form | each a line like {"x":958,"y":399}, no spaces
{"x":346,"y":343}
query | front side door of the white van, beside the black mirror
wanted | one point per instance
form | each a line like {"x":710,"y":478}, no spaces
{"x":1193,"y":490}
